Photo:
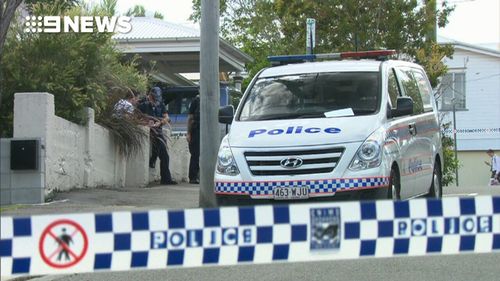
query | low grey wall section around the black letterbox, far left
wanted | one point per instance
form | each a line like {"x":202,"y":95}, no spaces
{"x":20,"y":187}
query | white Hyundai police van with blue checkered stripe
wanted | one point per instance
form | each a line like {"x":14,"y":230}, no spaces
{"x":355,"y":129}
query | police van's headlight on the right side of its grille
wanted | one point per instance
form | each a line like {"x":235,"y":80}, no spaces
{"x":369,"y":154}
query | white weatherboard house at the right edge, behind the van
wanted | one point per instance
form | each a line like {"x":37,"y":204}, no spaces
{"x":472,"y":84}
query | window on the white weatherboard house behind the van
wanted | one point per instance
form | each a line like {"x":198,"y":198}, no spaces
{"x":453,"y":91}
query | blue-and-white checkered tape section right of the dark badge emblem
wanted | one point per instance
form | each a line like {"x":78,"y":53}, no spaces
{"x":422,"y":227}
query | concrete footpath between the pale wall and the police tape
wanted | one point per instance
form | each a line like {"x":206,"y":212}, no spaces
{"x":181,"y":196}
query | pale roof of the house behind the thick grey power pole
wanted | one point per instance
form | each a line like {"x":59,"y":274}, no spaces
{"x":175,"y":49}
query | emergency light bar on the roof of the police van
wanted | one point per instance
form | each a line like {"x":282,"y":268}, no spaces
{"x":287,"y":59}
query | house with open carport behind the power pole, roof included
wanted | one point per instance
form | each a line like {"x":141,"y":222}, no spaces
{"x":175,"y":51}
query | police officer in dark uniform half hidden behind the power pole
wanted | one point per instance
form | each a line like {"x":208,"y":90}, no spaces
{"x":193,"y":138}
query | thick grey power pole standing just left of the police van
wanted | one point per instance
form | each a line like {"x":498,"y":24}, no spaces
{"x":209,"y":99}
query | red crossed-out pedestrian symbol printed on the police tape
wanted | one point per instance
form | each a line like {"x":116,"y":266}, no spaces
{"x":63,"y":244}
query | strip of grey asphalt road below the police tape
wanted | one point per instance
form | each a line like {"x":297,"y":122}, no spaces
{"x":459,"y":267}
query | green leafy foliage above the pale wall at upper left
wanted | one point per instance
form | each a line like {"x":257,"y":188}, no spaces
{"x":79,"y":69}
